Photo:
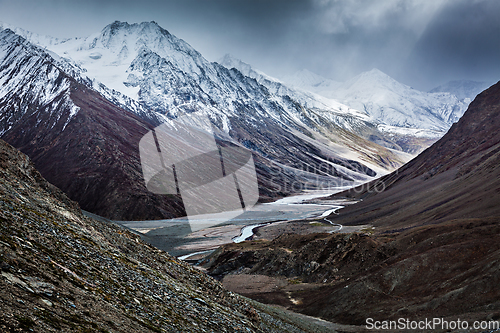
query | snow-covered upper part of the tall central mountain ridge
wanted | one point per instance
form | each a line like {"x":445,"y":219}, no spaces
{"x":173,"y":83}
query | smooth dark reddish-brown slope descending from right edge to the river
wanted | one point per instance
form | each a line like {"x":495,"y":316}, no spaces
{"x":456,"y":178}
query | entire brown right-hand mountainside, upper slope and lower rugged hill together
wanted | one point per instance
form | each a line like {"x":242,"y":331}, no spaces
{"x":429,"y":245}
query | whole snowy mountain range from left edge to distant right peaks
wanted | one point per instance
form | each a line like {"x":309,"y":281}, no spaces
{"x":360,"y":129}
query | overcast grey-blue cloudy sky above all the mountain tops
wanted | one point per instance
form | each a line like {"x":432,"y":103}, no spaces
{"x":422,"y":43}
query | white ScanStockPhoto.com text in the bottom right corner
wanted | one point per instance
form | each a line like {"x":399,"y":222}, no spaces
{"x":430,"y":324}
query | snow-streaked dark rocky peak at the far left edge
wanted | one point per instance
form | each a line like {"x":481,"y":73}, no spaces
{"x":34,"y":78}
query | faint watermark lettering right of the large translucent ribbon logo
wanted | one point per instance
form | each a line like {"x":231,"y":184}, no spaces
{"x":330,"y":175}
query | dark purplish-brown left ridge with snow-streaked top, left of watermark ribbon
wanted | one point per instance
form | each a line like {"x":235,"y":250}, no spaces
{"x":75,"y":153}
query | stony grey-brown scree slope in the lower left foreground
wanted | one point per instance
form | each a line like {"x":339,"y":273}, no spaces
{"x":62,"y":271}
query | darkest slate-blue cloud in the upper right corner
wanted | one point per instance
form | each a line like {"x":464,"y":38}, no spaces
{"x":462,"y":42}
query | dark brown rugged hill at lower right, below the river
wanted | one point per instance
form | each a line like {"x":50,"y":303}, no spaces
{"x":443,"y":271}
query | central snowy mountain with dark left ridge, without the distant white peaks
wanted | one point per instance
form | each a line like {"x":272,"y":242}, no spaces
{"x":84,"y":135}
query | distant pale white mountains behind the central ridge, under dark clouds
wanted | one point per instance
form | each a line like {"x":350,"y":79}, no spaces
{"x":395,"y":107}
